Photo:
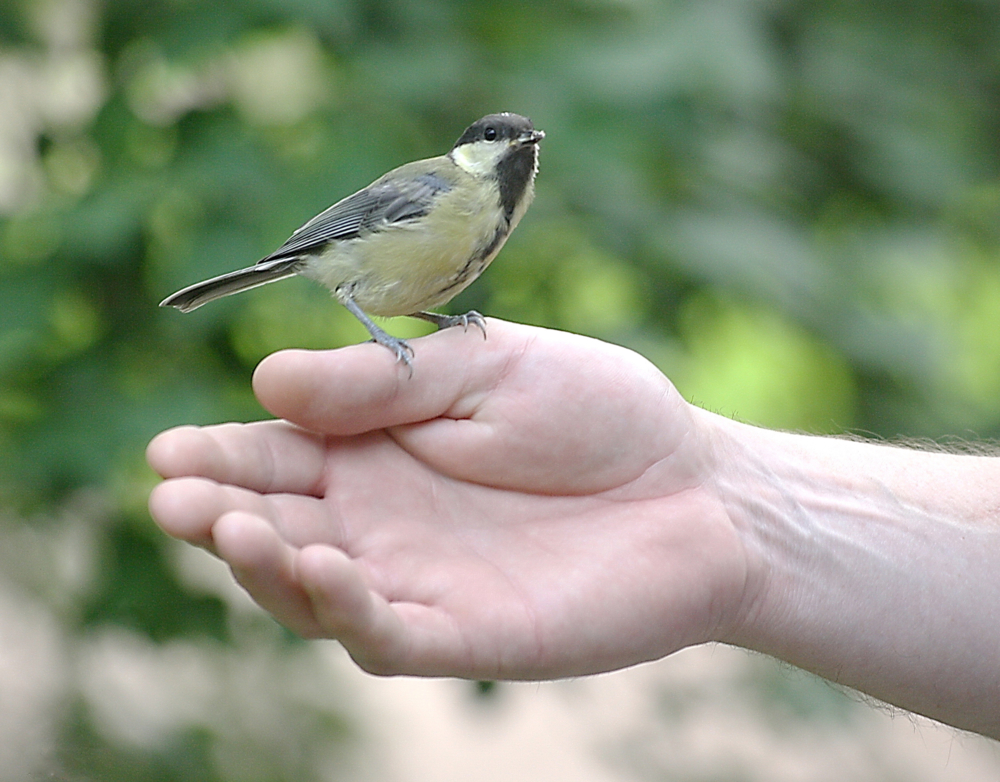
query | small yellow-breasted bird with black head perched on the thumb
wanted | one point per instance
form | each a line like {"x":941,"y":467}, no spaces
{"x":413,"y":238}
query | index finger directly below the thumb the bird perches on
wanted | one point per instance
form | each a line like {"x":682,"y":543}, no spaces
{"x":267,"y":456}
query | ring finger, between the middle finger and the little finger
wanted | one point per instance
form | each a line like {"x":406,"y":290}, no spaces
{"x":264,"y":565}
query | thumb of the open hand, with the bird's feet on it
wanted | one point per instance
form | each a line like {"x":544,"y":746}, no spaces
{"x":348,"y":391}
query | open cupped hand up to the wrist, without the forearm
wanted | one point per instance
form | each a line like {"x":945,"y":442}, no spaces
{"x":536,"y":506}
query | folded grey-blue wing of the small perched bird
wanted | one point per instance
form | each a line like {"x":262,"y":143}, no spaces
{"x":394,"y":198}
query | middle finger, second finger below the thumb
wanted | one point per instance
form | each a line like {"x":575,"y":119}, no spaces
{"x":186,"y":508}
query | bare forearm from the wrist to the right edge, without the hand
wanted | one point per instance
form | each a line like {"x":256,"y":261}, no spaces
{"x":872,"y":566}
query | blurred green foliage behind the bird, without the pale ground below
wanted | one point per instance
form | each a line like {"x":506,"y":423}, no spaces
{"x":792,"y":208}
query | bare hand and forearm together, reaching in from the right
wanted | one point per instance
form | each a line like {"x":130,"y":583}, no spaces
{"x":546,"y":505}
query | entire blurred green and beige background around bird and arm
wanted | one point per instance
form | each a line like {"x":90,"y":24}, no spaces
{"x":791,"y":208}
